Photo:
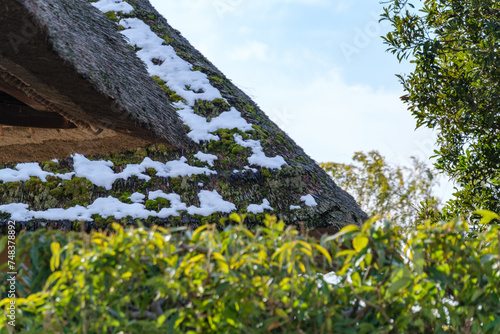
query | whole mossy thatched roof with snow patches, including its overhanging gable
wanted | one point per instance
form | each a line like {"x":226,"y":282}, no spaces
{"x":235,"y":158}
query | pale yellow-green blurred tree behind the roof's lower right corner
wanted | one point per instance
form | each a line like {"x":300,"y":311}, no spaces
{"x":405,"y":193}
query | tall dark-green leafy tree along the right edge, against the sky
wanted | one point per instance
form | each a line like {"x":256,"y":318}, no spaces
{"x":454,"y":88}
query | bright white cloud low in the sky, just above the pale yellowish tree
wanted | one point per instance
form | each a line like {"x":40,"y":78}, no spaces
{"x":331,"y":119}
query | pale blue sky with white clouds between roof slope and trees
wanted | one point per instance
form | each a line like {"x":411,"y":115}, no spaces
{"x":318,"y":68}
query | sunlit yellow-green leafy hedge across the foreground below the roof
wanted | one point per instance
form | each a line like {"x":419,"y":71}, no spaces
{"x":441,"y":277}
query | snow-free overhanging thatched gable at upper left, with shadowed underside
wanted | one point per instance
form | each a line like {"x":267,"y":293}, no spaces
{"x":66,"y":58}
